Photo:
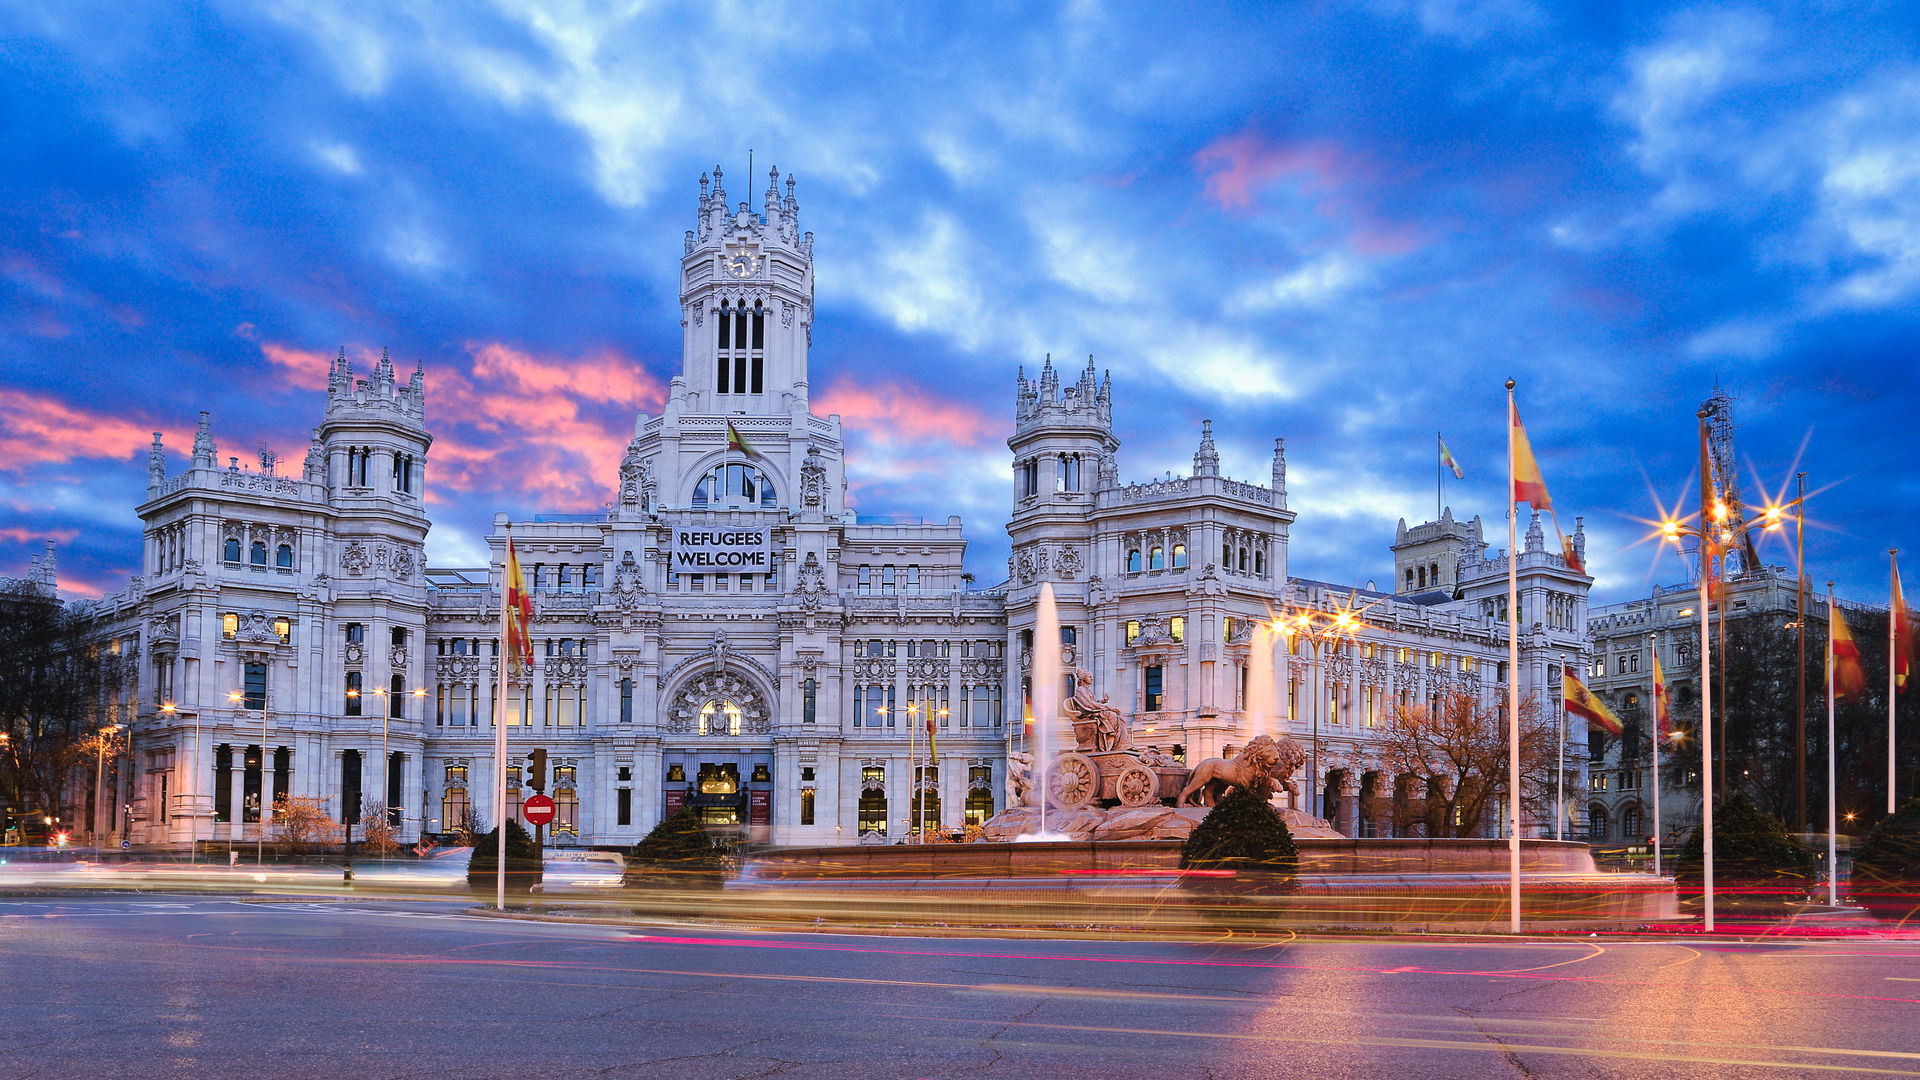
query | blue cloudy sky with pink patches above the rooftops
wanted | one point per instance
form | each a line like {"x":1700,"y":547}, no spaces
{"x":1341,"y":224}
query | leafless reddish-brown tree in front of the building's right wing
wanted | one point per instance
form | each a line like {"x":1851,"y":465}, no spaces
{"x":1458,"y":756}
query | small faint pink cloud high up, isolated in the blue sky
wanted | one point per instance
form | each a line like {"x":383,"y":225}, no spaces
{"x":1245,"y":168}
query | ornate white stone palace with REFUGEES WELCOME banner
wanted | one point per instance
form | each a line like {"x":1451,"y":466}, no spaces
{"x":293,"y":641}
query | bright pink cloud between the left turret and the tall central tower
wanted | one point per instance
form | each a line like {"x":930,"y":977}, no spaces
{"x":539,"y":426}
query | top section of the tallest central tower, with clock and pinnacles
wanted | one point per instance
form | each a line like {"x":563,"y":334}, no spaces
{"x":748,"y":303}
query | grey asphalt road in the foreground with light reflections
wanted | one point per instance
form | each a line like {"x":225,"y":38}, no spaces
{"x":214,"y":989}
